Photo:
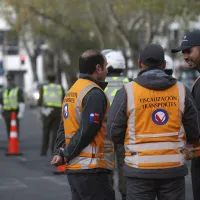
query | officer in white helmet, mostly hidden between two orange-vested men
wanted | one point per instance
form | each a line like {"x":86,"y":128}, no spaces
{"x":115,"y":79}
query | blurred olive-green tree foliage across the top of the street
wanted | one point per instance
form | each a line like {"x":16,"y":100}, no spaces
{"x":71,"y":26}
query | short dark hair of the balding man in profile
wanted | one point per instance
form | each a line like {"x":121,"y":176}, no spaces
{"x":89,"y":60}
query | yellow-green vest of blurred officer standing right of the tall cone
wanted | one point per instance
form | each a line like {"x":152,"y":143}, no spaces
{"x":52,"y":95}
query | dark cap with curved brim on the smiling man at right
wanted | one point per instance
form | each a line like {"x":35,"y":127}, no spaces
{"x":190,"y":40}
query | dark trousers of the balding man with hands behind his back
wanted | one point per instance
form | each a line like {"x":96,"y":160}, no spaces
{"x":93,"y":186}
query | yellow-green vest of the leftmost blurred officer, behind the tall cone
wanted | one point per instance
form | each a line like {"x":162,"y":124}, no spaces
{"x":10,"y":99}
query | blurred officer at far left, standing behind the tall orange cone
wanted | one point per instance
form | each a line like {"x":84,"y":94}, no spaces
{"x":11,"y":99}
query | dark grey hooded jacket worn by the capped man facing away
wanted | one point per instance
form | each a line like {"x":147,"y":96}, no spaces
{"x":155,"y":79}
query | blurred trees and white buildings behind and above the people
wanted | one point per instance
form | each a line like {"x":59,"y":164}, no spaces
{"x":38,"y":35}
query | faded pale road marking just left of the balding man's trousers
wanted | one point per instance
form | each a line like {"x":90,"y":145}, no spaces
{"x":53,"y":179}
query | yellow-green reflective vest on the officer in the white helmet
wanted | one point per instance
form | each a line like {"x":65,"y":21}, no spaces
{"x":114,"y":84}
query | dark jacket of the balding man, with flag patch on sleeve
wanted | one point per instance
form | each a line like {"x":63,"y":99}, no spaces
{"x":94,"y":102}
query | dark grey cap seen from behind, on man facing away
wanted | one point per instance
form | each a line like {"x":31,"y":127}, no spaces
{"x":152,"y":55}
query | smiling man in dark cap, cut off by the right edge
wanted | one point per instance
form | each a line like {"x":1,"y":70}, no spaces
{"x":190,"y":48}
